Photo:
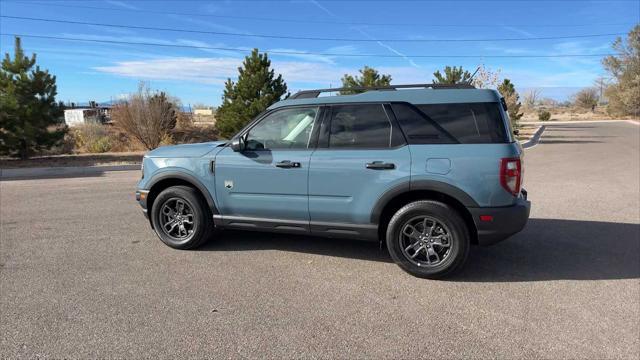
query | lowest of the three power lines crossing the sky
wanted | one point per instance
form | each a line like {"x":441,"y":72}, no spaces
{"x":281,"y":52}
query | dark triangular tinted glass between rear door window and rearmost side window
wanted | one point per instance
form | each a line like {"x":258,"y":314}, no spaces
{"x":418,"y":128}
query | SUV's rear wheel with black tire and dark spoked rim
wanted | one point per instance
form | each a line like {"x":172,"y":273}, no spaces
{"x":443,"y":219}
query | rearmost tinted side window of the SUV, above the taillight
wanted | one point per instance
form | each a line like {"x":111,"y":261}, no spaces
{"x":469,"y":123}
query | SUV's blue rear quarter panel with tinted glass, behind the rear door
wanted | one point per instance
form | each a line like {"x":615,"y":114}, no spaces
{"x":459,"y":144}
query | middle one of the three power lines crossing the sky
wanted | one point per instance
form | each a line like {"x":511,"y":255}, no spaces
{"x":307,"y":38}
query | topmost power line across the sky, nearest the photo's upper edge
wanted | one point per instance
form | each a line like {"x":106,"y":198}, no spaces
{"x":310,"y":21}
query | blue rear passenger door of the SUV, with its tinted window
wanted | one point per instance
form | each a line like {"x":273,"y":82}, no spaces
{"x":361,"y":154}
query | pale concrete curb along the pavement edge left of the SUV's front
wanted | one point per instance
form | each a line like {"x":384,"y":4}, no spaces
{"x":53,"y":172}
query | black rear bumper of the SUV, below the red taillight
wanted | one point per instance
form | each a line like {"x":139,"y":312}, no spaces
{"x":497,"y":224}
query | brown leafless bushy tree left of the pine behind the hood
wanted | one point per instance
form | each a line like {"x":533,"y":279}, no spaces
{"x":146,"y":116}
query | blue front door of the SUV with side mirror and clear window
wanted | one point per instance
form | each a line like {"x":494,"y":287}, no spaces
{"x":265,"y":184}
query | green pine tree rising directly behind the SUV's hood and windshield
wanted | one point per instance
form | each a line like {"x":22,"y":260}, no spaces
{"x":256,"y":89}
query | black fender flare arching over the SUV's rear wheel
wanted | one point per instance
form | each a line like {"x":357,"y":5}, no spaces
{"x":430,"y":185}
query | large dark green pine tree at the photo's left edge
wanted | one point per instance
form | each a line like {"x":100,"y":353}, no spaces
{"x":29,"y":113}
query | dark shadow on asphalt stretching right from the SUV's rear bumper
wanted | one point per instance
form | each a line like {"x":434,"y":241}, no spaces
{"x":550,"y":249}
